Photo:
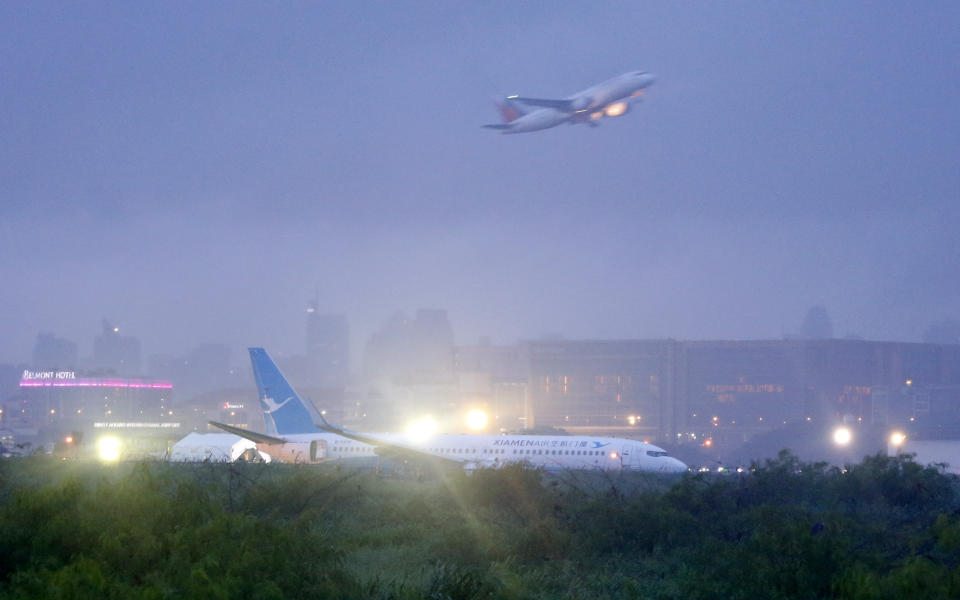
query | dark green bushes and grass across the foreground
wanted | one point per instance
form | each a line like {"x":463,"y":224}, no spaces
{"x":885,"y":528}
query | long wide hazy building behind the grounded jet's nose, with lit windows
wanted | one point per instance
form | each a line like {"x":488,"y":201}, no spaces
{"x":726,"y":392}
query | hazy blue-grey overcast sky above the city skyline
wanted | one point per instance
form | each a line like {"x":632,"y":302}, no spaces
{"x":193,"y":171}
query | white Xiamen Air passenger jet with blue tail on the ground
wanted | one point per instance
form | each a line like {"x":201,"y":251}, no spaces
{"x":292,"y":436}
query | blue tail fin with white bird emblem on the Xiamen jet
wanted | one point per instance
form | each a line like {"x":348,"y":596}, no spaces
{"x":283,"y":410}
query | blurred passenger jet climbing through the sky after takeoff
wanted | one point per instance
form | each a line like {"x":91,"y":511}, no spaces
{"x":611,"y":98}
